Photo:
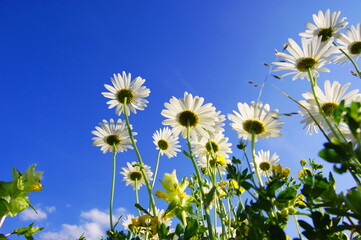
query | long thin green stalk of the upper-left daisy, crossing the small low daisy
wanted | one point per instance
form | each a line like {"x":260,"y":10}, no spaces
{"x":149,"y":188}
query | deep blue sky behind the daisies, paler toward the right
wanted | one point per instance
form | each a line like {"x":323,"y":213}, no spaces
{"x":55,"y":57}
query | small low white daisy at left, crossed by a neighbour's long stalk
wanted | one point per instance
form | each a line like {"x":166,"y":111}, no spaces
{"x":132,"y":174}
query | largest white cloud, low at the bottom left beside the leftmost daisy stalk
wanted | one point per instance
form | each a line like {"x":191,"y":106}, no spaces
{"x":92,"y":224}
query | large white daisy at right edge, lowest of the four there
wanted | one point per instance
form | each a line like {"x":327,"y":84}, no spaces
{"x":329,"y":100}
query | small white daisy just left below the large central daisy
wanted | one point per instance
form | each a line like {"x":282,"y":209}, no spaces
{"x":166,"y":142}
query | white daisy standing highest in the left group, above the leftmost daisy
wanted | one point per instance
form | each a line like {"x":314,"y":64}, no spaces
{"x":122,"y":87}
